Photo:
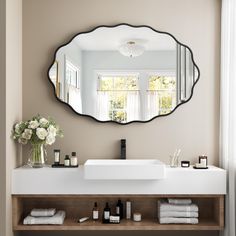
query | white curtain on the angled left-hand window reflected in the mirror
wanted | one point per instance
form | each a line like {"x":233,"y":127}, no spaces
{"x":74,"y":97}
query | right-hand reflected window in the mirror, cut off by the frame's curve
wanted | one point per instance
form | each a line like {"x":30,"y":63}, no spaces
{"x":161,"y":95}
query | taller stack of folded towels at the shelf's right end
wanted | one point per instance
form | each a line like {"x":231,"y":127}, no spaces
{"x":177,"y":211}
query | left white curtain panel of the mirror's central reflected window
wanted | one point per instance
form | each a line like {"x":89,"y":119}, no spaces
{"x":102,"y":106}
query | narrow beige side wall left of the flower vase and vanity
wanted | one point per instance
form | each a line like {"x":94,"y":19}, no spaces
{"x":11,"y":102}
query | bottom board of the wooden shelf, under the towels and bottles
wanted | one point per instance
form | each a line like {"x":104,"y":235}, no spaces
{"x":71,"y":224}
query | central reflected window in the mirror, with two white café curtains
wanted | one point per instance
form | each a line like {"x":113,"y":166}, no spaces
{"x":118,"y":97}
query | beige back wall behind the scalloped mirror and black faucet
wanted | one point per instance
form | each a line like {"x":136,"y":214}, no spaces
{"x":193,"y":127}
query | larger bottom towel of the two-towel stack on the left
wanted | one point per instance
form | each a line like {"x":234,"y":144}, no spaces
{"x":57,"y":219}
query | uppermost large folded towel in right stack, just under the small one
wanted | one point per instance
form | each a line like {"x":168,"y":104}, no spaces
{"x":164,"y":206}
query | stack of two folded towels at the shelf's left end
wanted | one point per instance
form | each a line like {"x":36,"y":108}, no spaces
{"x":45,"y":217}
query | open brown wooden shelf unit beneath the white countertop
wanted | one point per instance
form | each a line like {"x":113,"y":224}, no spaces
{"x":211,"y":212}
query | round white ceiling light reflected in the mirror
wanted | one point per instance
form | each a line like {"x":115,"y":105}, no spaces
{"x":131,"y":49}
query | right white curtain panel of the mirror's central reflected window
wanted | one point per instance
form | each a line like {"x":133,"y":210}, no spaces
{"x":133,"y":106}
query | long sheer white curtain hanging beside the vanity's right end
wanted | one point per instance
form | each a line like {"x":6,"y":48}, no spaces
{"x":228,"y":109}
